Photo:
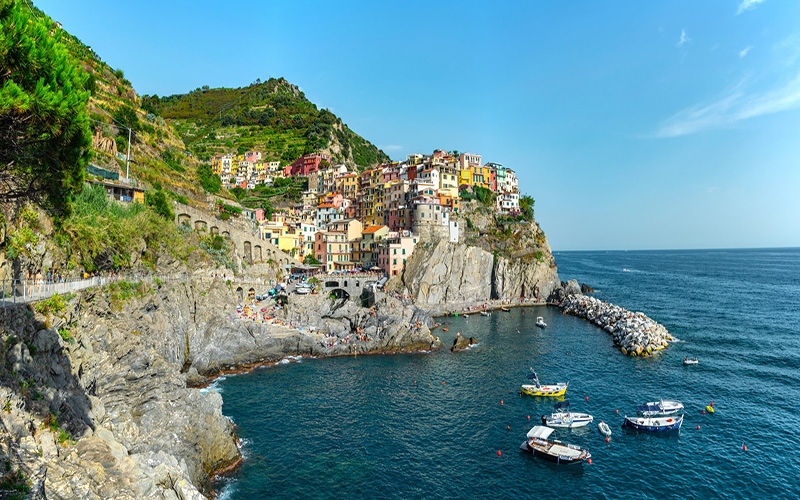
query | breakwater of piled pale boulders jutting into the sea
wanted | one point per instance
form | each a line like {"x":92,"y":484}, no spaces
{"x":633,"y":332}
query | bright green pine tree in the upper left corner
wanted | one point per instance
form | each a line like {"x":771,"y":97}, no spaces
{"x":44,"y":129}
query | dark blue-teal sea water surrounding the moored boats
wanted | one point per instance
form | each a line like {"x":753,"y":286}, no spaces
{"x":430,"y":425}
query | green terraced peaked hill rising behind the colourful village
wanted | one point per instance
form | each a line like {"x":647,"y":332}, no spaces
{"x":273,"y":117}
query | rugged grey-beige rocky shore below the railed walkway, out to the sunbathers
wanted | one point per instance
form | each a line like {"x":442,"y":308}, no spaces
{"x":97,"y":396}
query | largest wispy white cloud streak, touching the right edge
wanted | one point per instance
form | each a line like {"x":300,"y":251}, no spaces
{"x":735,"y":106}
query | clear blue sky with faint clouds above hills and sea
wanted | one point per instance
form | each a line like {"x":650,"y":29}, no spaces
{"x":634,"y":125}
